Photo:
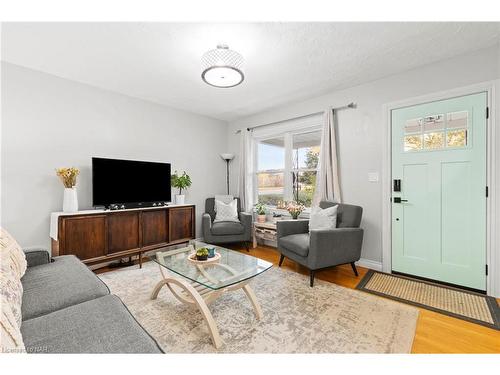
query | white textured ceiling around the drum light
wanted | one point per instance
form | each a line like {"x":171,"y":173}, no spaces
{"x":284,"y":62}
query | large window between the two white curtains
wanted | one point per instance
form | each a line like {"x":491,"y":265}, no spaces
{"x":287,"y":167}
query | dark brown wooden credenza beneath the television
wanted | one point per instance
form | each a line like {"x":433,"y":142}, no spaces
{"x":99,"y":237}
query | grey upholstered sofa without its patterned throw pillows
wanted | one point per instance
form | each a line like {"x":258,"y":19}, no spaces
{"x":66,"y":308}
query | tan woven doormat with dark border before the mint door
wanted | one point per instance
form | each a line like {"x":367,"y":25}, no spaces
{"x":459,"y":303}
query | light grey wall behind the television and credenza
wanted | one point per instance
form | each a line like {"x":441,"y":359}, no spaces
{"x":50,"y":122}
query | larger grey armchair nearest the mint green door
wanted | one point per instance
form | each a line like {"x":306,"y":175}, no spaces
{"x":318,"y":249}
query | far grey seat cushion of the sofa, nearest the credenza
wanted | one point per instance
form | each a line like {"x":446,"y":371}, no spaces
{"x":64,"y":282}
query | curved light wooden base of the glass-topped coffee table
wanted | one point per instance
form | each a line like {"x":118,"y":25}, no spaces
{"x":199,"y":296}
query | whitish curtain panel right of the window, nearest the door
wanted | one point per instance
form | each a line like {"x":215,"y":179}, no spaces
{"x":327,"y":179}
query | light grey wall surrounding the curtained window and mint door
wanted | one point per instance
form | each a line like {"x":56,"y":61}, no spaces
{"x":361,"y":130}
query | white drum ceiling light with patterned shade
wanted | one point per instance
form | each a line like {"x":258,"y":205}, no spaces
{"x":222,"y":67}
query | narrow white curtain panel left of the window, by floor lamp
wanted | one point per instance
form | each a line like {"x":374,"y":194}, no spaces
{"x":245,"y":177}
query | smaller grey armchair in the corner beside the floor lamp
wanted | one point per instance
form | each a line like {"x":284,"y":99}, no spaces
{"x":226,"y":231}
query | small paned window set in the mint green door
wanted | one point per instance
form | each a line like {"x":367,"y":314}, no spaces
{"x":437,"y":132}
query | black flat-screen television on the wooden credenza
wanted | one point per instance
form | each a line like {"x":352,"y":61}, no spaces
{"x":129,"y":181}
